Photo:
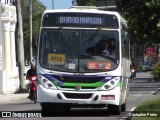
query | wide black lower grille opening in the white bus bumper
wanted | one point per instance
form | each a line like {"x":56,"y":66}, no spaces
{"x":78,"y":95}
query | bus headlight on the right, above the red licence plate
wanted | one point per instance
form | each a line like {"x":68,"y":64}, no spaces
{"x":110,"y":84}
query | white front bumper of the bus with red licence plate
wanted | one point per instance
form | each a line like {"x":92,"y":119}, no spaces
{"x":78,"y":97}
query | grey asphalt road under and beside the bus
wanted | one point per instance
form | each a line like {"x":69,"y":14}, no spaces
{"x":140,"y":89}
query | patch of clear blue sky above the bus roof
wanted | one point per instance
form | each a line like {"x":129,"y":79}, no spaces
{"x":58,"y":4}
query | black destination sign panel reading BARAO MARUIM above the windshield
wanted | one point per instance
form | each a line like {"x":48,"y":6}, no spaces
{"x":79,"y":20}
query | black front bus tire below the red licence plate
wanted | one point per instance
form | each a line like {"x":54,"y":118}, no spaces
{"x":114,"y":109}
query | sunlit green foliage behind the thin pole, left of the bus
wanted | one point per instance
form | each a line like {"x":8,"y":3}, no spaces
{"x":37,"y":10}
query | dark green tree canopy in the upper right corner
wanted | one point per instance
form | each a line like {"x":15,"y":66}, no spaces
{"x":143,"y":19}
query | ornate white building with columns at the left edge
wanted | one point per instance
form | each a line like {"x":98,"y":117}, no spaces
{"x":9,"y":79}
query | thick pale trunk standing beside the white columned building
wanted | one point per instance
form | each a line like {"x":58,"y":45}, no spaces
{"x":20,"y":47}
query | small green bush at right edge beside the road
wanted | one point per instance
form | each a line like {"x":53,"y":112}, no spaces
{"x":156,"y":71}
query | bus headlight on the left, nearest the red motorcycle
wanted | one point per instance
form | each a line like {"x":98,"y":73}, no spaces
{"x":46,"y":83}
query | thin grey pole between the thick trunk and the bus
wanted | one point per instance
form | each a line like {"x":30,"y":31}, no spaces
{"x":31,"y":30}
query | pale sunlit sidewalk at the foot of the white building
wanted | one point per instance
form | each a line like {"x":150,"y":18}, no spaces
{"x":12,"y":97}
